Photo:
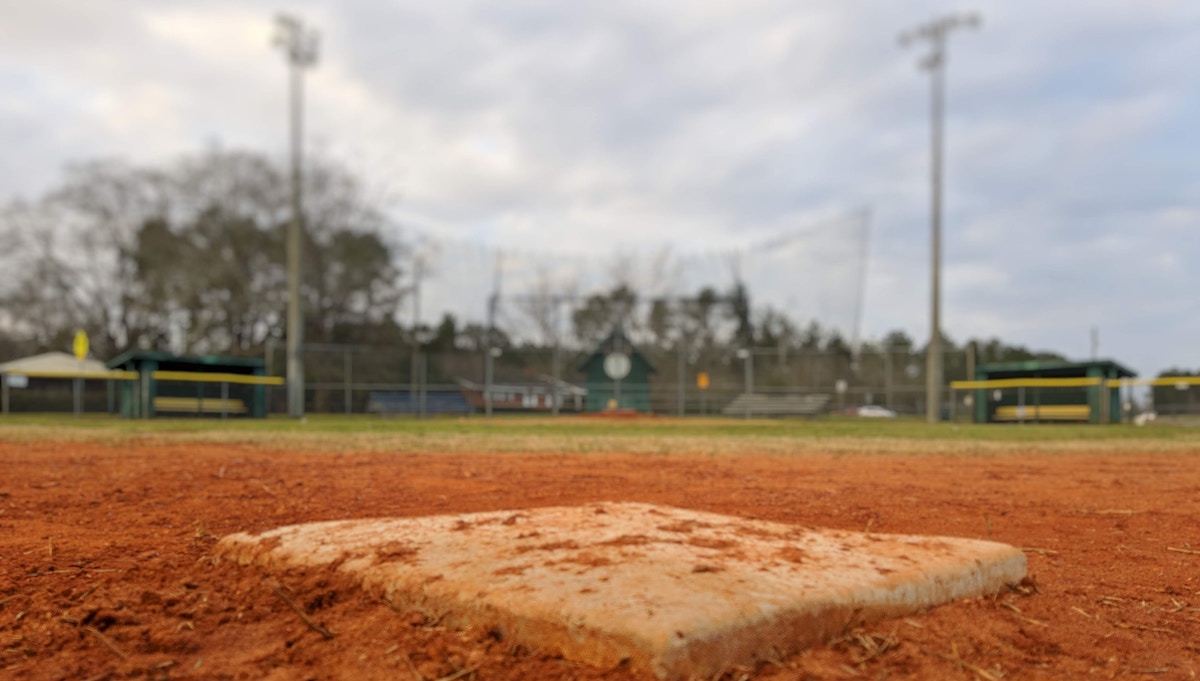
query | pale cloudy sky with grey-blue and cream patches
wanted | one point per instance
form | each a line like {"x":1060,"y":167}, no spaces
{"x":1073,"y":194}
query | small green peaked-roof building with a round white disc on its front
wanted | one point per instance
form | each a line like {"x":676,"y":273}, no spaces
{"x":617,"y":375}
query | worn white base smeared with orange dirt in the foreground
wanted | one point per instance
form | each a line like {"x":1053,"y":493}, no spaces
{"x":681,"y":594}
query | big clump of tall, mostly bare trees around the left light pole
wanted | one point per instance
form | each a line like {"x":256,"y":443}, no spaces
{"x":190,"y":258}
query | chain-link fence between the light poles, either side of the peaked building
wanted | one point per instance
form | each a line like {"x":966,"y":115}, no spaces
{"x":403,"y":381}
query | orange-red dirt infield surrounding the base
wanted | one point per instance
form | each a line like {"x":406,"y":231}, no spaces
{"x":105,"y":569}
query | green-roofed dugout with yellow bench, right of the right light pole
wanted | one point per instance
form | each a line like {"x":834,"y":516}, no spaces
{"x":1047,"y":390}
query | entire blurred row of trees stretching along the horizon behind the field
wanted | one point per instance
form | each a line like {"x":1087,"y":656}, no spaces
{"x":189,"y":257}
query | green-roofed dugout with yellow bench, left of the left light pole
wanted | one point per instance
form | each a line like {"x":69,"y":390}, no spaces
{"x":207,"y":385}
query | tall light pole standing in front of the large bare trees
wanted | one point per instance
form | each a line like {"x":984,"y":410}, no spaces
{"x":299,"y":46}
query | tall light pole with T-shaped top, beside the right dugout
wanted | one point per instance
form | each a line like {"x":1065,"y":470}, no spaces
{"x":935,"y":33}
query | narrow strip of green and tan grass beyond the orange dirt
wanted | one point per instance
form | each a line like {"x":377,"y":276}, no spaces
{"x":574,"y":435}
